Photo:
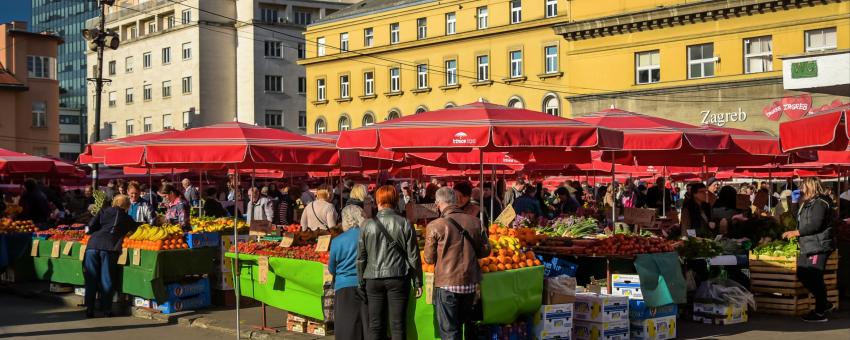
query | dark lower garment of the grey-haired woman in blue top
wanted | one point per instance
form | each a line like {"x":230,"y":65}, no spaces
{"x":350,"y":313}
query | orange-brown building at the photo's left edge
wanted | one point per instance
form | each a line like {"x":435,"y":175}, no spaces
{"x":29,"y":91}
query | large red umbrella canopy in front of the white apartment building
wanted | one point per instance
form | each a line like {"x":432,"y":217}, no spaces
{"x":225,"y":145}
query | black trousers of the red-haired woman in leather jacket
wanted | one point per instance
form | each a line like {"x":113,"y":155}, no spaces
{"x":387,"y":300}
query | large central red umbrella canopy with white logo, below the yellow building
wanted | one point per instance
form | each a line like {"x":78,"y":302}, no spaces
{"x":482,"y":126}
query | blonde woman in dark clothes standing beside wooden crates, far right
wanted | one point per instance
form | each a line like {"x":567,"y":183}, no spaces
{"x":814,"y":228}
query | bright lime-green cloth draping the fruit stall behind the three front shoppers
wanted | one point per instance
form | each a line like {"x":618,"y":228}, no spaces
{"x":297,"y":286}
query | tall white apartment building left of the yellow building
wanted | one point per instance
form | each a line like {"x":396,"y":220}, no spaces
{"x":185,"y":63}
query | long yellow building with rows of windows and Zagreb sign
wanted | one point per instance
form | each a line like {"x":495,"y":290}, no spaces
{"x":694,"y":61}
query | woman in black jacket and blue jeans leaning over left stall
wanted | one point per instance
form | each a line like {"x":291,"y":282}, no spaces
{"x":107,"y":231}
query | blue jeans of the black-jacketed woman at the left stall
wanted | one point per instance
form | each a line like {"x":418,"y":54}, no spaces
{"x":99,"y":272}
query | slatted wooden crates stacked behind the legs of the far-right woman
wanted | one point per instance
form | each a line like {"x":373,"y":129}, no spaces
{"x":777,"y":290}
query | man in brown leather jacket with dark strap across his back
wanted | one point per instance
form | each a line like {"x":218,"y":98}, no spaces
{"x":454,"y":243}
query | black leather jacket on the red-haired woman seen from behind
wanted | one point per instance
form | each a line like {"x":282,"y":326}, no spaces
{"x":375,"y":257}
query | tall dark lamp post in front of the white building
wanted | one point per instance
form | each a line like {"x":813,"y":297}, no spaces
{"x":99,"y":38}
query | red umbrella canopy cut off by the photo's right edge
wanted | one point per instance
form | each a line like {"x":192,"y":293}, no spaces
{"x":825,"y":130}
